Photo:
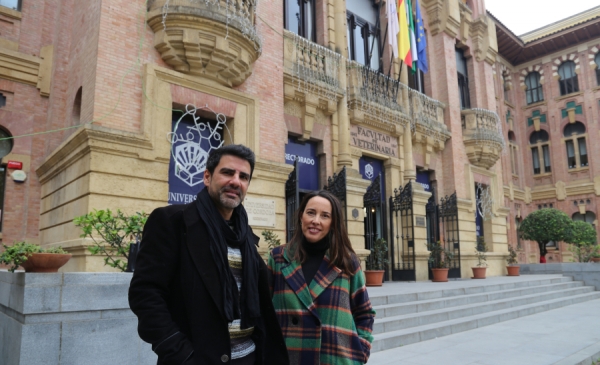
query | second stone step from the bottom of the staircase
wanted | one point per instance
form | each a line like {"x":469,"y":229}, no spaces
{"x":394,"y":323}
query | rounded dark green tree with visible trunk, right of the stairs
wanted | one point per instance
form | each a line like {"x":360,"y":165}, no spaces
{"x":546,"y":225}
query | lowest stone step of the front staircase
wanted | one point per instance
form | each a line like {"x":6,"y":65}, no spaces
{"x":388,"y":340}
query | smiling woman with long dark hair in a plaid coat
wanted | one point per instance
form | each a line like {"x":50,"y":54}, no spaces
{"x":319,"y":290}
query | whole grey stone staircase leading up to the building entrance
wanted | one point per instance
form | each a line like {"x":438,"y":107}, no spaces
{"x":410,"y":317}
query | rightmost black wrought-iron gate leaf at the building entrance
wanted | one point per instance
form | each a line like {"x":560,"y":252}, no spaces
{"x":448,"y":215}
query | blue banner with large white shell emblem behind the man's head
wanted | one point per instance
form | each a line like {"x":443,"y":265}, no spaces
{"x":191,"y":141}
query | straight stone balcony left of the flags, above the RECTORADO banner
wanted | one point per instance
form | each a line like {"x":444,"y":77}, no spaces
{"x":311,"y":72}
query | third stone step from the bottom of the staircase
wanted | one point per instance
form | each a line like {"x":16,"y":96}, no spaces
{"x":390,"y":310}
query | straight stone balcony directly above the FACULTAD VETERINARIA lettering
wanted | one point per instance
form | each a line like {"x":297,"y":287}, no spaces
{"x":374,"y":97}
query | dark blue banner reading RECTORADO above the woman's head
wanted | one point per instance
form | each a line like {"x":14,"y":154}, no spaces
{"x":308,"y":163}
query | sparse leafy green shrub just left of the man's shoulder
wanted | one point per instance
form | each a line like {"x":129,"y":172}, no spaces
{"x":112,"y":235}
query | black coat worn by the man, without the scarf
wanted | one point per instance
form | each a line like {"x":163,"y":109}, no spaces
{"x":176,"y":294}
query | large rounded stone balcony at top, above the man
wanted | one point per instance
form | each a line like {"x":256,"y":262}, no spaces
{"x":215,"y":39}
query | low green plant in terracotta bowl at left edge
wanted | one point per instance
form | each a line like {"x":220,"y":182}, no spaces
{"x":33,"y":258}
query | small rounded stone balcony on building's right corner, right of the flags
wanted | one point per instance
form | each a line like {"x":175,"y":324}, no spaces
{"x":482,"y":136}
